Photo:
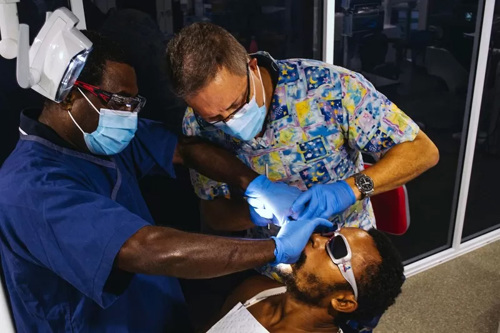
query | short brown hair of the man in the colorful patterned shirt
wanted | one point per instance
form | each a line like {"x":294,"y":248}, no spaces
{"x":198,"y":52}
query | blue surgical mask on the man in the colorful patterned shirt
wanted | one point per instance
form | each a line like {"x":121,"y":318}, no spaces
{"x":247,"y":122}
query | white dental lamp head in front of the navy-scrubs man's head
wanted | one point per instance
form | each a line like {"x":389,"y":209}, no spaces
{"x":56,"y":57}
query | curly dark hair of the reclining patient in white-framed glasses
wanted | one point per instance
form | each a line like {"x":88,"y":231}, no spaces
{"x":380,"y":283}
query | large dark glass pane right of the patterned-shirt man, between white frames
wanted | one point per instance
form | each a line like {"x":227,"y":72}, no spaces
{"x":419,"y":54}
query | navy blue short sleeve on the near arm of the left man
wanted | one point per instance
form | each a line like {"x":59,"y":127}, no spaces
{"x":75,"y":233}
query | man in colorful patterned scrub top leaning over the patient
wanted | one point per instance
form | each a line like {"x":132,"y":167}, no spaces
{"x":299,"y":121}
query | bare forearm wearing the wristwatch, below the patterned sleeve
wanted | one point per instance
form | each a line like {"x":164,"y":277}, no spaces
{"x":401,"y":164}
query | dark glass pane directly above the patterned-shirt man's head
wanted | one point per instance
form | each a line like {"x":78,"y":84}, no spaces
{"x":284,"y":28}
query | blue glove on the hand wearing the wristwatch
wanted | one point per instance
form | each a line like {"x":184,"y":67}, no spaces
{"x":324,"y":200}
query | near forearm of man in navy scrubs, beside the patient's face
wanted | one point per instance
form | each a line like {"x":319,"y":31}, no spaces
{"x":166,"y":251}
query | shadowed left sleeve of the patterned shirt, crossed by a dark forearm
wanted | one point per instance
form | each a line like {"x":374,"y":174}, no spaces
{"x":204,"y":187}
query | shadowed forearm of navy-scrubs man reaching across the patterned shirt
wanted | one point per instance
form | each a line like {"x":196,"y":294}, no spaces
{"x":215,"y":163}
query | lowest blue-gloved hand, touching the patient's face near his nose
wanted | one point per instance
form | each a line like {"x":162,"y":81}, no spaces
{"x":293,"y":237}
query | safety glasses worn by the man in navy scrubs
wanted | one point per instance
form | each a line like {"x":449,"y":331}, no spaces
{"x":114,"y":101}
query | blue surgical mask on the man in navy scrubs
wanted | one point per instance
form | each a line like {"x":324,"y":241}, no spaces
{"x":114,"y":132}
